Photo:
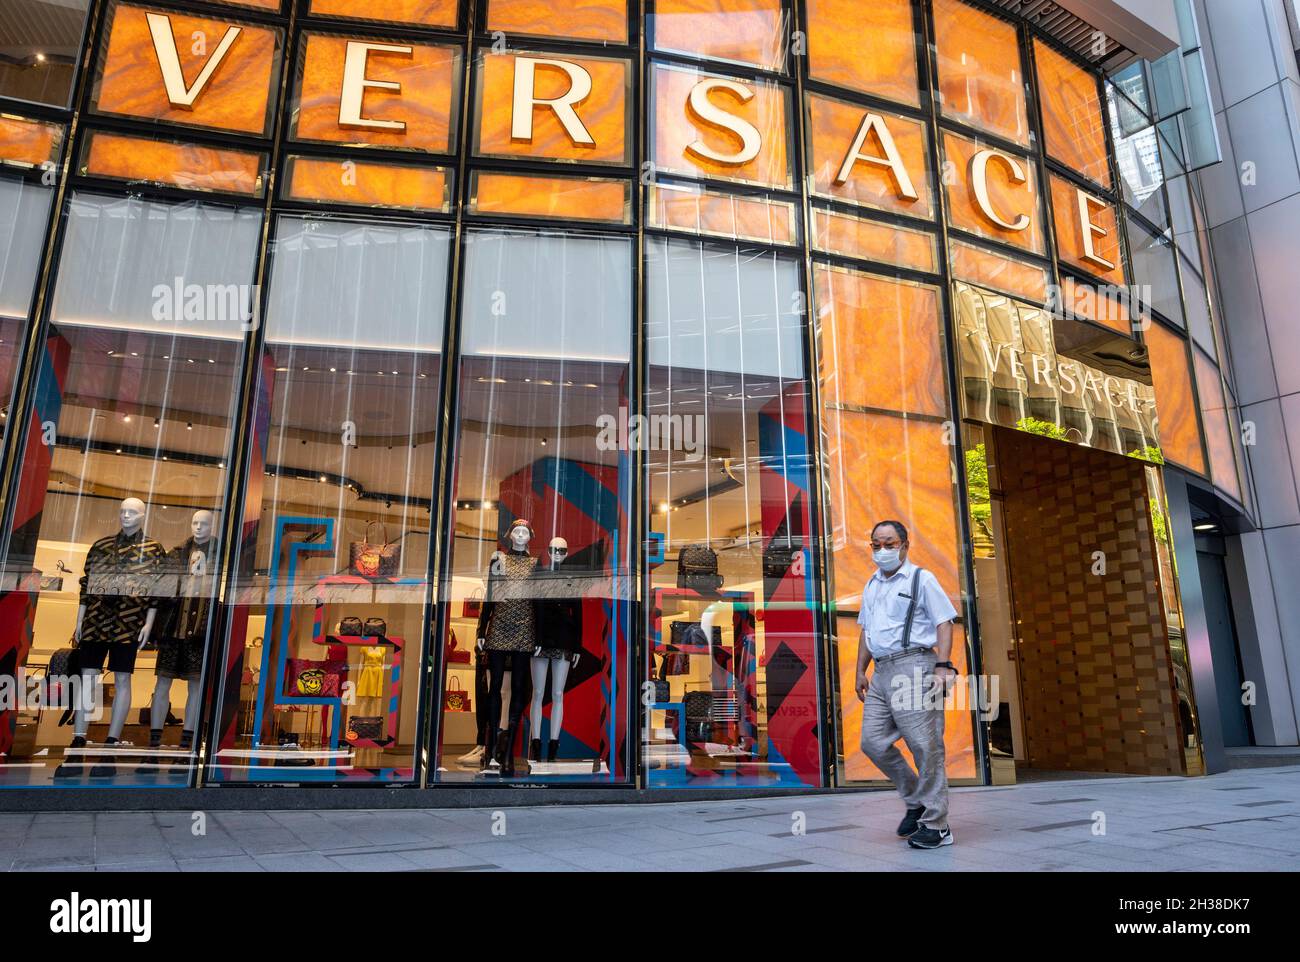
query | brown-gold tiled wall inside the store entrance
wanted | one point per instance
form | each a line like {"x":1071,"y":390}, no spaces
{"x":1097,"y":682}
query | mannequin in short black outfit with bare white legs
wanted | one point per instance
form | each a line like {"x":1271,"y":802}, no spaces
{"x":560,"y":635}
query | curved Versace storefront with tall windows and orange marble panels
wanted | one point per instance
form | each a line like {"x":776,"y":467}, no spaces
{"x":504,"y":392}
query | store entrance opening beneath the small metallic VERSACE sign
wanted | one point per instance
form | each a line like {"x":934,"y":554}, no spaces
{"x":1073,"y":621}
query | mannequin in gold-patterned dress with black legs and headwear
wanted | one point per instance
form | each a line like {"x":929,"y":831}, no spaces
{"x":508,"y":634}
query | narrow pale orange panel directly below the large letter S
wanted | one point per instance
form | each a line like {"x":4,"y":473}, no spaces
{"x":691,"y":207}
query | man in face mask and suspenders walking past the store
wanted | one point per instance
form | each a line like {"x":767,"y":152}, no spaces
{"x":908,"y":629}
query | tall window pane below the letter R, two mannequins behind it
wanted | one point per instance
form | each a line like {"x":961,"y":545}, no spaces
{"x":541,"y":562}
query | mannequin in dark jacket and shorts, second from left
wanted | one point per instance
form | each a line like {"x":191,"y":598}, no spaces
{"x":184,"y":639}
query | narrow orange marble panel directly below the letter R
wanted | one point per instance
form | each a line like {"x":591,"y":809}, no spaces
{"x":532,"y":196}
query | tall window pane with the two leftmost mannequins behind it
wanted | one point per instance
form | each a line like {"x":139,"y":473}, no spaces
{"x":116,"y":521}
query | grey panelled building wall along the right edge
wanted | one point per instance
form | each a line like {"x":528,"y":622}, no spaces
{"x":1253,"y":203}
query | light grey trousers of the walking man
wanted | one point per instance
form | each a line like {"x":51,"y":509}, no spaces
{"x":896,"y":708}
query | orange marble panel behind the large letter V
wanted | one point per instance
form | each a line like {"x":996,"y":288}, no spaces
{"x":235,"y":98}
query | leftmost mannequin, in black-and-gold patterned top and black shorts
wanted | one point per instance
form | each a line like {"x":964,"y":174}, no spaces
{"x":115,"y":619}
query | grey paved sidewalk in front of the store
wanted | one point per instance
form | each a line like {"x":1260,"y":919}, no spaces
{"x":1241,"y":821}
